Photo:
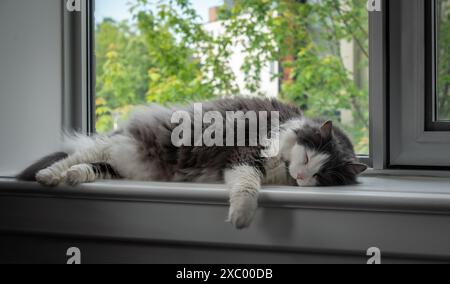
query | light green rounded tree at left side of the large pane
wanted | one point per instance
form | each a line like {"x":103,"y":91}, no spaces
{"x":122,"y":71}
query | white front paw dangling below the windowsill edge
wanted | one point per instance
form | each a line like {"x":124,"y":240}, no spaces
{"x":242,"y":212}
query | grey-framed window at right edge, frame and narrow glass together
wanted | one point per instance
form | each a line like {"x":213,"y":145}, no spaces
{"x":419,"y":84}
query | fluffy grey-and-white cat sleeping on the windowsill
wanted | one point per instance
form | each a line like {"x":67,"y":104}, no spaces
{"x":311,"y":153}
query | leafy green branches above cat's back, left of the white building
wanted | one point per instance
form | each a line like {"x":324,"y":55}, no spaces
{"x":171,"y":37}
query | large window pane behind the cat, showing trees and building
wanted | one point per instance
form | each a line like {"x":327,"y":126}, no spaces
{"x":312,"y":53}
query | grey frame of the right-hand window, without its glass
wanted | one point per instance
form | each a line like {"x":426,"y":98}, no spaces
{"x":411,"y":144}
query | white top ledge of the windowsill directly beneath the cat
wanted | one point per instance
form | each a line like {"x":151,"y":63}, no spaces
{"x":386,"y":193}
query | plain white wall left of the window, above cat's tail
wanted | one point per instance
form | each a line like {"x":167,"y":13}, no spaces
{"x":30,"y":80}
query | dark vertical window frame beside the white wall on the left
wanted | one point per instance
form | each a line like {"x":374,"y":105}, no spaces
{"x":79,"y":68}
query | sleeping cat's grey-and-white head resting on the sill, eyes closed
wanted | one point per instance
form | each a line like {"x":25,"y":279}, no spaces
{"x":321,"y":155}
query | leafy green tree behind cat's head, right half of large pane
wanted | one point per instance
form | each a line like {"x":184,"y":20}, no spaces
{"x":306,"y":37}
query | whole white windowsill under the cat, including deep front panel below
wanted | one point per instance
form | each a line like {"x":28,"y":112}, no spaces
{"x":405,"y":216}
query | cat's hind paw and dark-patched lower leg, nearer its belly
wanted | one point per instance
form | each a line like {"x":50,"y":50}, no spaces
{"x":86,"y":173}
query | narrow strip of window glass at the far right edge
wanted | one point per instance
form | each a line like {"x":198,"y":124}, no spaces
{"x":443,"y":59}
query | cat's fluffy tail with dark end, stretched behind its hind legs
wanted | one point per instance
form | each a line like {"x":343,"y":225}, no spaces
{"x":70,"y":144}
